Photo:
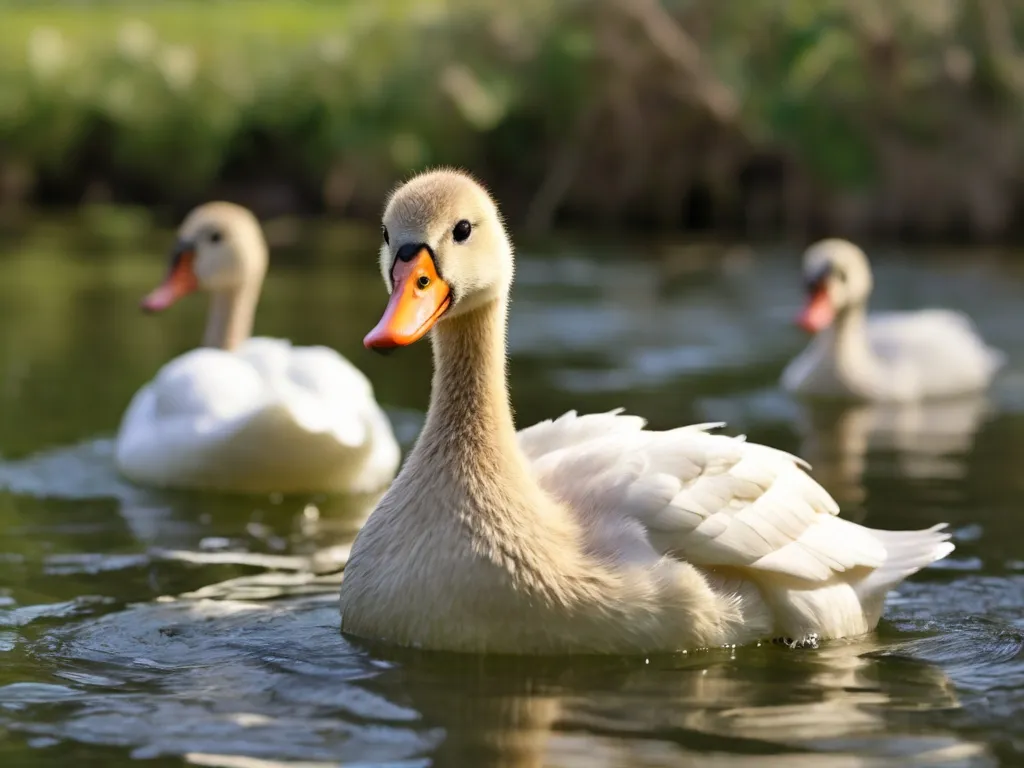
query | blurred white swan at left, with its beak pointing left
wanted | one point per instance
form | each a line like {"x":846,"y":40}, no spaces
{"x":251,"y":415}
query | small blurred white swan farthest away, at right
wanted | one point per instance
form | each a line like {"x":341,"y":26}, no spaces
{"x":894,"y":358}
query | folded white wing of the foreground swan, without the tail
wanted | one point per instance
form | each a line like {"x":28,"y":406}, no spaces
{"x":710,"y":500}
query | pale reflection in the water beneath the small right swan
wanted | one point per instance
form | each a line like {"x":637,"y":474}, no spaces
{"x":929,"y":441}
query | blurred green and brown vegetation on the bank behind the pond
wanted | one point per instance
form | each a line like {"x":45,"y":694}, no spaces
{"x":757,"y":118}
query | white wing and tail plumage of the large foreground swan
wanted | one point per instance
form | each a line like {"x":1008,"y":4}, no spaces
{"x":720,"y":502}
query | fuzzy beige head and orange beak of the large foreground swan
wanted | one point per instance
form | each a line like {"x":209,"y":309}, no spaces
{"x":445,"y":253}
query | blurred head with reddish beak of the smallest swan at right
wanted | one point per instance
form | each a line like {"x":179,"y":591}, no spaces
{"x":837,"y":277}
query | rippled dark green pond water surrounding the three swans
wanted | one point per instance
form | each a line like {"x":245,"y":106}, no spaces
{"x":203,"y":630}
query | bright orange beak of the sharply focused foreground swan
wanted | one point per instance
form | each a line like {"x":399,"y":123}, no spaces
{"x":419,"y":300}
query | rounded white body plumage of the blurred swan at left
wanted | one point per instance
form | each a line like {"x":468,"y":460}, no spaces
{"x":268,"y":417}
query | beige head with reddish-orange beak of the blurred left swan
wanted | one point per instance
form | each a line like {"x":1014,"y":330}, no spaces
{"x":221,"y":248}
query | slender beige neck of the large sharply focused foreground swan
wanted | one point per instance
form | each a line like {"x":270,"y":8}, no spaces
{"x":470,"y":412}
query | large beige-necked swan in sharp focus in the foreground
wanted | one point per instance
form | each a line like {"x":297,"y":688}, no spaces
{"x":587,"y":534}
